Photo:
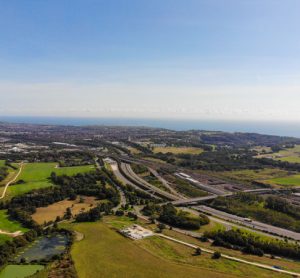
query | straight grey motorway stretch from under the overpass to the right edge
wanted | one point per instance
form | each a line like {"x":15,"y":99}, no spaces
{"x":252,"y":224}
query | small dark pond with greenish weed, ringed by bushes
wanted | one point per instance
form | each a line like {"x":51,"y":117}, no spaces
{"x":44,"y":248}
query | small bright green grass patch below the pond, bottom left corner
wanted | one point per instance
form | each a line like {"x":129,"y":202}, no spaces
{"x":20,"y":271}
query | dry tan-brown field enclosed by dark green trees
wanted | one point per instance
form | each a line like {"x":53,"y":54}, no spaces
{"x":58,"y":209}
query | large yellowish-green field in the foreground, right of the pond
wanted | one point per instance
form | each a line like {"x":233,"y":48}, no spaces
{"x":152,"y":257}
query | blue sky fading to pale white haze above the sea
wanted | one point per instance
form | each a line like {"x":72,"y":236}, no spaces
{"x":157,"y":59}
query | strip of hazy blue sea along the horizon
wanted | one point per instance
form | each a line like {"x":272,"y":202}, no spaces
{"x":272,"y":128}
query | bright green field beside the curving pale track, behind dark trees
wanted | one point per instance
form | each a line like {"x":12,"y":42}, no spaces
{"x":36,"y":176}
